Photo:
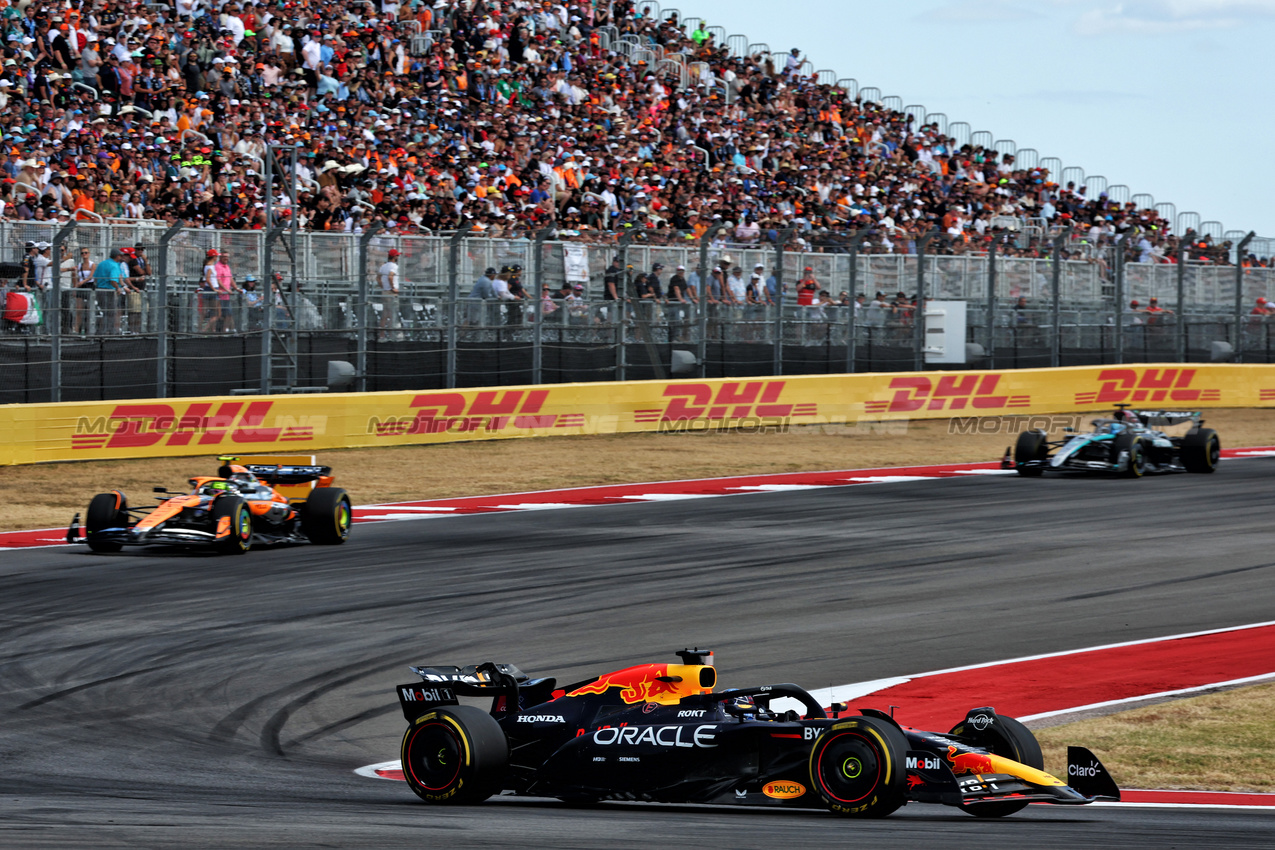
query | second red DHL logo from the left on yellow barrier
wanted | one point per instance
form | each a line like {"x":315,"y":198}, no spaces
{"x":490,"y":411}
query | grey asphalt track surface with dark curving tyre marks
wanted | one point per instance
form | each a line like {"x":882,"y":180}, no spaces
{"x":187,"y":700}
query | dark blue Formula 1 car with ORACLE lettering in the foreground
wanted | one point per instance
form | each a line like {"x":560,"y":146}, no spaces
{"x":661,"y":733}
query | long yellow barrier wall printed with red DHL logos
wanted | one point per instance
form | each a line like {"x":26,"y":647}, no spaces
{"x":307,"y":424}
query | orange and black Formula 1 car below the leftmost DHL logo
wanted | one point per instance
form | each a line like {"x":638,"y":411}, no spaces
{"x":229,"y":513}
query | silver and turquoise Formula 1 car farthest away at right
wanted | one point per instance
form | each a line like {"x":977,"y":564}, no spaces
{"x":1129,"y":443}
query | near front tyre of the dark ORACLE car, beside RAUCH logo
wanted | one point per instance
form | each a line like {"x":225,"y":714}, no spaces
{"x":857,"y":768}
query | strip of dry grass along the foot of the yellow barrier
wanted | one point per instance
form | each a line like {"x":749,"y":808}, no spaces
{"x":48,"y":495}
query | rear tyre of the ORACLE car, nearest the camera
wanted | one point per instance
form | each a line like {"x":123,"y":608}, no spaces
{"x":455,"y":756}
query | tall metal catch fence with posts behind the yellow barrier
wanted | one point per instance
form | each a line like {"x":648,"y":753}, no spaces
{"x":327,"y":305}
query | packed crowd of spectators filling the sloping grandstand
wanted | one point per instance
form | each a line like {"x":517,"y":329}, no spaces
{"x":516,"y":118}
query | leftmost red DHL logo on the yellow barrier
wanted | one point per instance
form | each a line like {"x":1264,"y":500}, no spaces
{"x":201,"y":424}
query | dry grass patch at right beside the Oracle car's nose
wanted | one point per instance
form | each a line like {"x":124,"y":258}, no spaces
{"x":1221,"y":742}
